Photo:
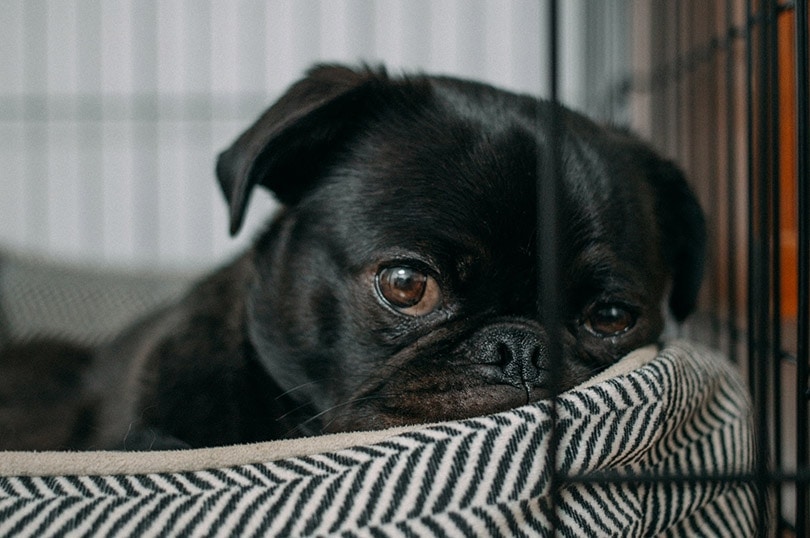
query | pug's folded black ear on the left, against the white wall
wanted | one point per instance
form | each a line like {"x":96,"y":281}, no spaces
{"x":286,"y":144}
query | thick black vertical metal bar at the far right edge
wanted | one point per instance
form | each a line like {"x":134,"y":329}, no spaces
{"x":803,"y":339}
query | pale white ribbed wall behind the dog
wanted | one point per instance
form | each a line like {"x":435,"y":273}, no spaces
{"x":112,"y":112}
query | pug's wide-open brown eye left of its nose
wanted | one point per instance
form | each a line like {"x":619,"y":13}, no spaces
{"x":408,"y":290}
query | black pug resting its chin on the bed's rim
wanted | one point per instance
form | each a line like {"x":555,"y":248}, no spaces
{"x":398,"y":284}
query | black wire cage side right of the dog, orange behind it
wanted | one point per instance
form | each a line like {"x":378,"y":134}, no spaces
{"x":723,"y":88}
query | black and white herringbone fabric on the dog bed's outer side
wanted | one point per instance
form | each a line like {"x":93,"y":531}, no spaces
{"x":667,"y":428}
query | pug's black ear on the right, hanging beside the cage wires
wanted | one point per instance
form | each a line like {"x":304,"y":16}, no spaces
{"x":683,"y":233}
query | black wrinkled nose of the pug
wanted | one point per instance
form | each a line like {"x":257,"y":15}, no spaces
{"x":519,"y":350}
